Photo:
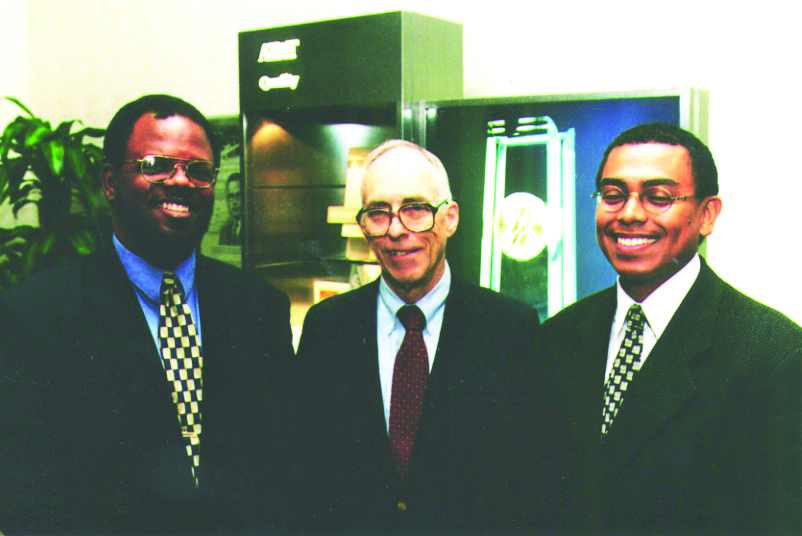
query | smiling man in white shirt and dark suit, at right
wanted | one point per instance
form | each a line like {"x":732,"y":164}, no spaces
{"x":680,"y":399}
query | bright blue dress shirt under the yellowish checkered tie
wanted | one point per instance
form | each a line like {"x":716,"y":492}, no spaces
{"x":147,"y":280}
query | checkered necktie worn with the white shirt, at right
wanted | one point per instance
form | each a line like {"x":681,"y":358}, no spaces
{"x":625,"y":365}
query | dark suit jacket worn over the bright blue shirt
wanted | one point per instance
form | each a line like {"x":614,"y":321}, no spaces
{"x":90,"y":434}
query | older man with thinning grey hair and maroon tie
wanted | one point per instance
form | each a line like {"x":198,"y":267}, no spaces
{"x":414,"y":428}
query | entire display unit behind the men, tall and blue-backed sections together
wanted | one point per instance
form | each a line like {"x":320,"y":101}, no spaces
{"x":316,"y":98}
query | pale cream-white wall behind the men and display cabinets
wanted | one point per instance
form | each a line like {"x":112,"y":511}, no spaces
{"x":86,"y":57}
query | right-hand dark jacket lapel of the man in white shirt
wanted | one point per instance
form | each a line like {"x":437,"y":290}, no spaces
{"x":666,"y":382}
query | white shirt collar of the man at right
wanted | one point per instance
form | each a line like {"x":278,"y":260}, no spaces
{"x":659,"y":306}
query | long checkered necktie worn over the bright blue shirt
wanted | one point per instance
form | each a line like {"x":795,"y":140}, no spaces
{"x":180,"y":350}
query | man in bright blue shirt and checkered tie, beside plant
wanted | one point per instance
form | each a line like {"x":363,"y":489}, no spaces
{"x":152,"y":375}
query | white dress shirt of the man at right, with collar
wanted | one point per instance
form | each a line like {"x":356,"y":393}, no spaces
{"x":658,"y":307}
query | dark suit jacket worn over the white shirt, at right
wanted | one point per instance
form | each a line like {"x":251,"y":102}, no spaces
{"x":709,"y":435}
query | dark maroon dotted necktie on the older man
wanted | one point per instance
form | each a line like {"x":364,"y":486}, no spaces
{"x":410,"y":374}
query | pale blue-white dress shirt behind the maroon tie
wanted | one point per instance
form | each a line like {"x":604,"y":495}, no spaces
{"x":390,"y":331}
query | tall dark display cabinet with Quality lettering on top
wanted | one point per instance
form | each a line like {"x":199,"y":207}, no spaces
{"x":314,"y":99}
